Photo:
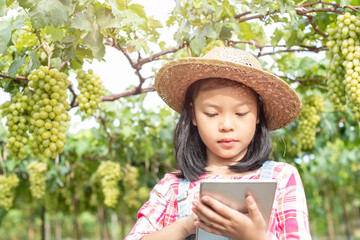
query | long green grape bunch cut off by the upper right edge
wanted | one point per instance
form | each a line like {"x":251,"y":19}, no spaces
{"x":344,"y":69}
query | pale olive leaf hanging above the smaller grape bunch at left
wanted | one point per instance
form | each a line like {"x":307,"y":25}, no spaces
{"x":94,"y":41}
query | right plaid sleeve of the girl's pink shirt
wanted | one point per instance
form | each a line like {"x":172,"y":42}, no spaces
{"x":292,"y":214}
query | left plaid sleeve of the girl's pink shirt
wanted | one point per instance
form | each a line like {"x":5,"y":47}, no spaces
{"x":154,"y":213}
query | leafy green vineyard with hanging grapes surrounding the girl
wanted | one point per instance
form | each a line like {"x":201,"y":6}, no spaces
{"x":89,"y":184}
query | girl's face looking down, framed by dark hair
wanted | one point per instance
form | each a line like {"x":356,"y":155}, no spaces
{"x":226,"y":119}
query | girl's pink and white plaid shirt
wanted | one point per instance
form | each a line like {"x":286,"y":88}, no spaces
{"x":288,"y":220}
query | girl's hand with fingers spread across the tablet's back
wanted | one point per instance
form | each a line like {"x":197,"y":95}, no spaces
{"x":215,"y":217}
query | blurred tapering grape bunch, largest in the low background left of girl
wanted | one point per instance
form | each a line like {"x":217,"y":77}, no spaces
{"x":109,"y":175}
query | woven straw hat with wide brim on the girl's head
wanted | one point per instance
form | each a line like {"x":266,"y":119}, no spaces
{"x":281,"y":104}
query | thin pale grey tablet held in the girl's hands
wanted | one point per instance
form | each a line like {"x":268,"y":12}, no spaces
{"x":233,"y":193}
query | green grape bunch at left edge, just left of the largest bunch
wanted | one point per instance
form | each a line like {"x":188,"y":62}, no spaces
{"x":16,"y":112}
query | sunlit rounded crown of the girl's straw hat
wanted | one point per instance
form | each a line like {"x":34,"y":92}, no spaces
{"x":233,"y":55}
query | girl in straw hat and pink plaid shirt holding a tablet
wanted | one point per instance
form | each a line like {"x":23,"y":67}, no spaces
{"x":228,"y":104}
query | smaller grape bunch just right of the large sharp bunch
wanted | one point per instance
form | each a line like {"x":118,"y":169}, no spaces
{"x":91,"y":89}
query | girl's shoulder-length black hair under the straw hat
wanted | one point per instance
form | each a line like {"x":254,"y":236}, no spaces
{"x":191,"y":151}
